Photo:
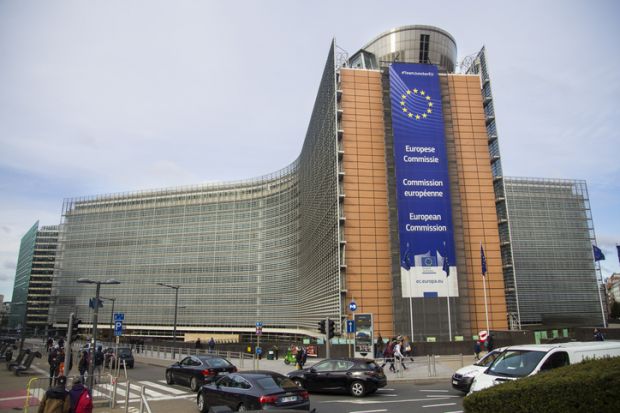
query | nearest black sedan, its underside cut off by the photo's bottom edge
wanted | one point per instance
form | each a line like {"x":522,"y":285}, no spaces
{"x":253,"y":390}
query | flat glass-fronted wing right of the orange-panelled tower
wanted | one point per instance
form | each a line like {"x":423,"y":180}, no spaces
{"x":552,"y":238}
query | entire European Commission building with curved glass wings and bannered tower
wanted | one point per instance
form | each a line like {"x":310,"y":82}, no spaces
{"x":395,"y":195}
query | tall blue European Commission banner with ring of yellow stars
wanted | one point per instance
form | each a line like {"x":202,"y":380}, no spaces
{"x":423,"y":186}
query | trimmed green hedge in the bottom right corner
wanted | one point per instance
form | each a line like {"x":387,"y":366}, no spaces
{"x":590,"y":386}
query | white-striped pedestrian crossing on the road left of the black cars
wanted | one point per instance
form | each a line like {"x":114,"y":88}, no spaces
{"x":153,"y":390}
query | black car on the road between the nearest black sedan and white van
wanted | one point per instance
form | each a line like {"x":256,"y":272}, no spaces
{"x":357,"y":376}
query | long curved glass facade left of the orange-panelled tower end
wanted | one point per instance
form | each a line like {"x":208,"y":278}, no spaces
{"x":239,"y":251}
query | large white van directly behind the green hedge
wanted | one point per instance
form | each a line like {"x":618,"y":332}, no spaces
{"x":521,"y":361}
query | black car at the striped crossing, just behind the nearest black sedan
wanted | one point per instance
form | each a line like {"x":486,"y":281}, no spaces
{"x":194,"y":371}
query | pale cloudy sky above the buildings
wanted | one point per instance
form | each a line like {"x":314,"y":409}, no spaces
{"x":102,"y":97}
